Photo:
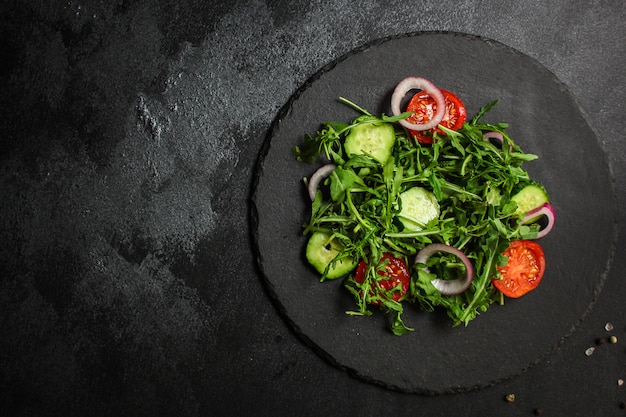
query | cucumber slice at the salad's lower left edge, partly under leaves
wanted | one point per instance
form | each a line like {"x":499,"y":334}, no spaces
{"x":320,"y":252}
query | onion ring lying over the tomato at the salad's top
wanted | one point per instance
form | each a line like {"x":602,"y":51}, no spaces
{"x":418,"y":83}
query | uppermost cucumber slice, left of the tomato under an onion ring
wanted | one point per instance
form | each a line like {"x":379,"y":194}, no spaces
{"x":373,"y":139}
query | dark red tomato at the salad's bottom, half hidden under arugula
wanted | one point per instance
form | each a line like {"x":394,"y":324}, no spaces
{"x":395,"y":273}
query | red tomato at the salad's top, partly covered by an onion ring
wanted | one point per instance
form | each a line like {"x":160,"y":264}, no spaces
{"x":423,"y":107}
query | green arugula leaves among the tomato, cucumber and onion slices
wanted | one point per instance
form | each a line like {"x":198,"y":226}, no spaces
{"x":473,"y":181}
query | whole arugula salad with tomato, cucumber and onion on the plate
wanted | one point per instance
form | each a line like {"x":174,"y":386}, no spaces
{"x":424,"y":207}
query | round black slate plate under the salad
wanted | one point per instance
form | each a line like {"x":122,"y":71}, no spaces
{"x":437,"y":358}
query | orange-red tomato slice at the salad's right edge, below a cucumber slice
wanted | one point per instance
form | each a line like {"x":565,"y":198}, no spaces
{"x":524,"y":269}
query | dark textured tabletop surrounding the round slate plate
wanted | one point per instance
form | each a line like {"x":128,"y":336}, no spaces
{"x":129,"y":133}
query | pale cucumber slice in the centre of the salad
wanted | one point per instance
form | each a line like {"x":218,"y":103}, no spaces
{"x":419,"y":206}
